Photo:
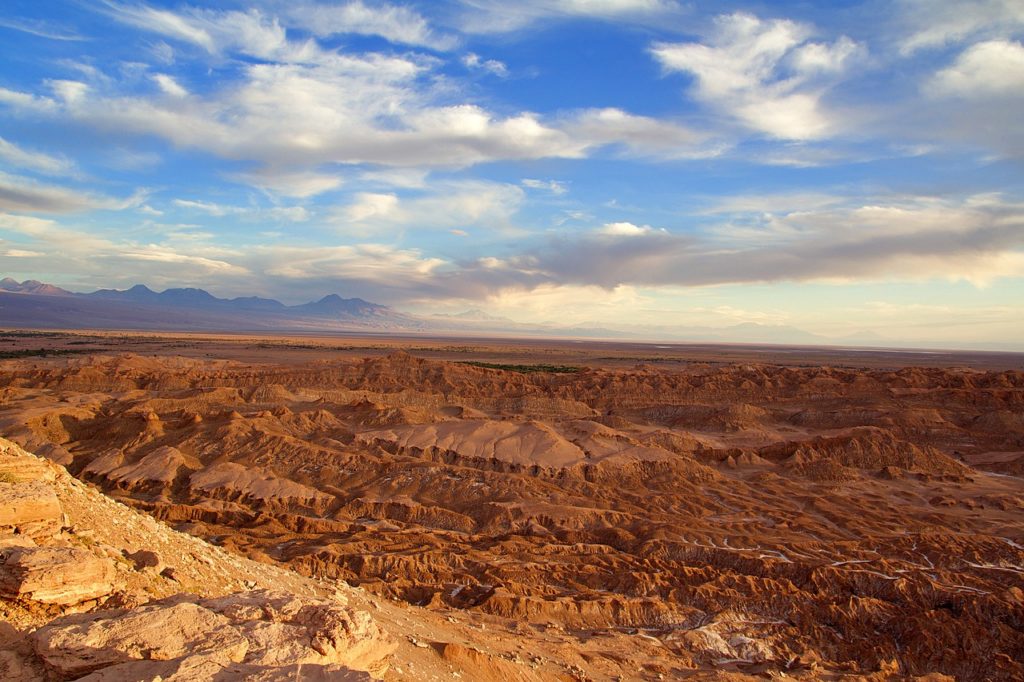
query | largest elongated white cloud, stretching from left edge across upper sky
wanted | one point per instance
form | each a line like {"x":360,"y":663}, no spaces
{"x":359,"y":110}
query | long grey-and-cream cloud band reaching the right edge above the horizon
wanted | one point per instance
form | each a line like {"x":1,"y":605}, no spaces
{"x":976,"y":239}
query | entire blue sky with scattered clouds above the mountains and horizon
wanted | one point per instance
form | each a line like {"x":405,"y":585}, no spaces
{"x":851,"y":169}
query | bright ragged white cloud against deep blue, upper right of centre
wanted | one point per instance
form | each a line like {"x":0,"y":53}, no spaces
{"x":766,"y":74}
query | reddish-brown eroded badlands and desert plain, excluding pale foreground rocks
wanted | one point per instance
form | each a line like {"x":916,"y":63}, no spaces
{"x":553,"y":510}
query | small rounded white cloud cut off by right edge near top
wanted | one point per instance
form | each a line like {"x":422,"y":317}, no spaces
{"x":992,"y":68}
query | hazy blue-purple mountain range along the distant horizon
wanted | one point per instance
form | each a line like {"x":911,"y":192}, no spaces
{"x":33,"y":305}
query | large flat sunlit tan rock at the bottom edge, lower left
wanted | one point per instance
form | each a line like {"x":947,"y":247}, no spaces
{"x":257,"y":633}
